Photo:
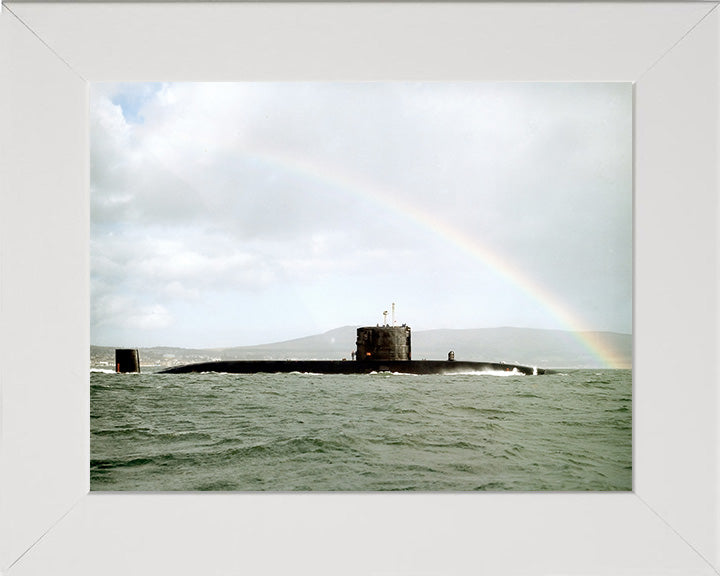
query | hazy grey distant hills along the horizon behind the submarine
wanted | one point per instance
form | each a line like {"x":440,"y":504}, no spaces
{"x":535,"y":347}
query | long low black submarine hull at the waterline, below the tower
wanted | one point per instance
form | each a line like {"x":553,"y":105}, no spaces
{"x":352,"y":367}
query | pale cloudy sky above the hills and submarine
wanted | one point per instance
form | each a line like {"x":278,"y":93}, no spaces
{"x":238,"y":214}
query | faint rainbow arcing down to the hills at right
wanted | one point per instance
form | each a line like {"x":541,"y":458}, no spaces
{"x":499,"y":263}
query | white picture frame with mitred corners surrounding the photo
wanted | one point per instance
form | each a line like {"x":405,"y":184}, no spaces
{"x":50,"y":523}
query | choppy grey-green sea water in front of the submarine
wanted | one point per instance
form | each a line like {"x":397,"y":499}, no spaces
{"x":569,"y":431}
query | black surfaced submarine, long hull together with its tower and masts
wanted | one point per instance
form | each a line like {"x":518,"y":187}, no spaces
{"x":385,"y":348}
